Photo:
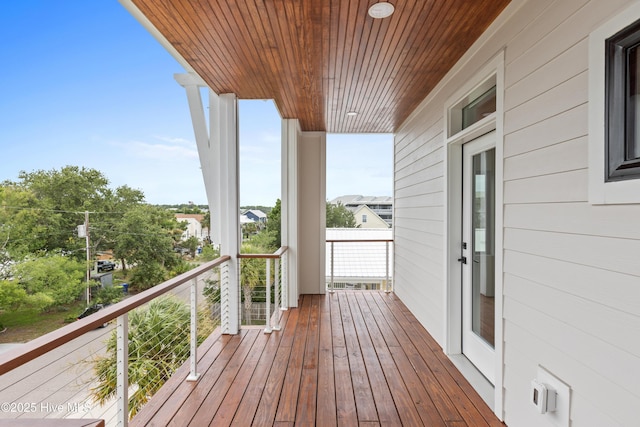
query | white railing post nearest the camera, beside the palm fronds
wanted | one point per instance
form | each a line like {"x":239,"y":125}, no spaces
{"x":122,"y":366}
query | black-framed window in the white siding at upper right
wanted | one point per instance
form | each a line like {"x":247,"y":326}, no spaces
{"x":622,"y":121}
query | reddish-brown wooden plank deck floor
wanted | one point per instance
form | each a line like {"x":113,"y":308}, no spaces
{"x":349,"y":359}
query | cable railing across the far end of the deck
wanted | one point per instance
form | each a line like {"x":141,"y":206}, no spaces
{"x":356,"y":264}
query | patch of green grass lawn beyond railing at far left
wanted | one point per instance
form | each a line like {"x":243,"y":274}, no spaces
{"x":25,"y":325}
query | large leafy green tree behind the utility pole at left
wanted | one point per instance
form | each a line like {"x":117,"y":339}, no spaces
{"x":40,"y":212}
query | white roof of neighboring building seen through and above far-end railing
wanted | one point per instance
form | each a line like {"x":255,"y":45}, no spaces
{"x":364,"y":264}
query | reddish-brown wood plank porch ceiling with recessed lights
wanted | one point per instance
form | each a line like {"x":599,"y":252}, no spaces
{"x":319,"y":59}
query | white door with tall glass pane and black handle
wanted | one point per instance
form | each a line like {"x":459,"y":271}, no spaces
{"x":478,"y":253}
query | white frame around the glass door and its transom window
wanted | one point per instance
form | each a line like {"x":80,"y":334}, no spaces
{"x":494,"y":69}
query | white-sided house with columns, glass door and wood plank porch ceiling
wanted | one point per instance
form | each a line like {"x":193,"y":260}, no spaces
{"x":516,"y":182}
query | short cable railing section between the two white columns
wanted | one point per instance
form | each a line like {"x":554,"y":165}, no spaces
{"x":263,"y":287}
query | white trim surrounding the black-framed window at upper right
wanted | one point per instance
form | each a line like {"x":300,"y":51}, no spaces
{"x":601,"y":192}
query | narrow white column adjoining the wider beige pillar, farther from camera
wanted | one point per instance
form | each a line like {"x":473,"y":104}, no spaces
{"x":289,"y":208}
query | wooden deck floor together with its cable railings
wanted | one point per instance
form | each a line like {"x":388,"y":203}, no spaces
{"x":343,"y":358}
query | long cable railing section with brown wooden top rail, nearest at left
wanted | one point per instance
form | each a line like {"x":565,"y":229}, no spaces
{"x":86,"y":370}
